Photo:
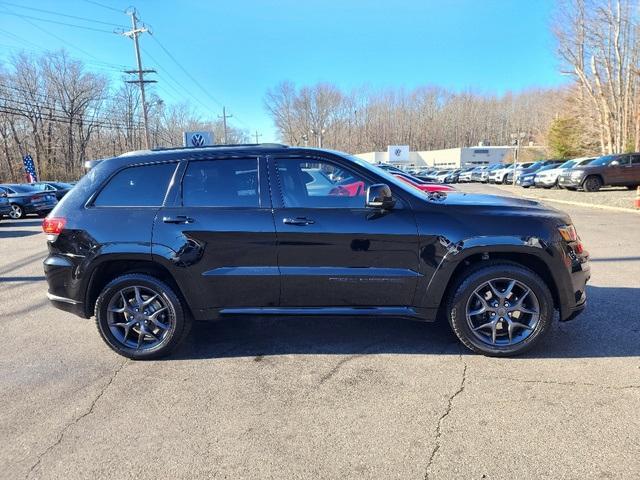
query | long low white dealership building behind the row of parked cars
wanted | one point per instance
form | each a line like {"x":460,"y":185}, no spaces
{"x":401,"y":156}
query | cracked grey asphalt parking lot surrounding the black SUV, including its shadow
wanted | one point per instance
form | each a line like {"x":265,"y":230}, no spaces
{"x":332,"y":398}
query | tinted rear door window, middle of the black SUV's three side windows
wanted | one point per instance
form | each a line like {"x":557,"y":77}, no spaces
{"x":221,"y":183}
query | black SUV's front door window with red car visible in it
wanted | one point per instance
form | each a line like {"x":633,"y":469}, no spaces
{"x":320,"y":184}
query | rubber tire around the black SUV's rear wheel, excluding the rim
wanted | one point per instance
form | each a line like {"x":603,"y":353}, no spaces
{"x":169,"y":297}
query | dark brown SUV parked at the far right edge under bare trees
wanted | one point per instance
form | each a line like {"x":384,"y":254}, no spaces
{"x":609,"y":170}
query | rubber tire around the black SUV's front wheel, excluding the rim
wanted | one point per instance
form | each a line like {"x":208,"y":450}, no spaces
{"x":458,"y":303}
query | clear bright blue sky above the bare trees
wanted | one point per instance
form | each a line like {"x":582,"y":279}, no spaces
{"x":238,"y":49}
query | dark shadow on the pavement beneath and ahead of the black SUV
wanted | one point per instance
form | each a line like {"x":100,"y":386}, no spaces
{"x":609,"y":328}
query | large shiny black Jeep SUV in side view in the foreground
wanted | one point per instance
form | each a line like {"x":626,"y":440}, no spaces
{"x":150,"y":241}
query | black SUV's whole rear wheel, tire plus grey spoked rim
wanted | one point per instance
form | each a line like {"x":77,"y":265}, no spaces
{"x":166,"y":310}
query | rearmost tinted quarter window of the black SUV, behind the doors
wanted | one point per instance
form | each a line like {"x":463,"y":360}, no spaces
{"x":143,"y":186}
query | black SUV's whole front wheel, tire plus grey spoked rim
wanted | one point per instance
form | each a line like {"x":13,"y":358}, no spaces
{"x":463,"y":301}
